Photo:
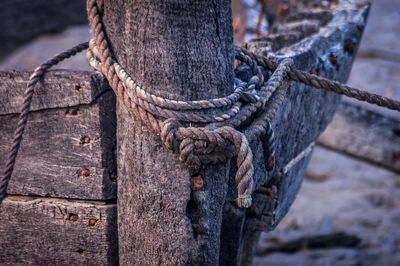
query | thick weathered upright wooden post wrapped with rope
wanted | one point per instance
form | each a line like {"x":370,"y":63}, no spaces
{"x":179,"y":50}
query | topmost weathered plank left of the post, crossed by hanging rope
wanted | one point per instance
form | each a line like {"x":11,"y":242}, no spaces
{"x":60,"y":88}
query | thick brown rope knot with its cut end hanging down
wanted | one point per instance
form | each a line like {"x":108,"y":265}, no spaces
{"x":199,"y":146}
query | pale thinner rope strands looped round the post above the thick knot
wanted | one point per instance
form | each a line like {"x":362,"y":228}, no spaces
{"x":166,"y":108}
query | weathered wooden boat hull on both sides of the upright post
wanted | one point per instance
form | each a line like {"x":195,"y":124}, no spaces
{"x":83,"y":230}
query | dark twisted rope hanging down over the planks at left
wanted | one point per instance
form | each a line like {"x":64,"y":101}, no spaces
{"x":36,"y":76}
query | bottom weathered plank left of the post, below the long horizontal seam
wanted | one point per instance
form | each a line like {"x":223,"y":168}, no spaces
{"x":46,"y":231}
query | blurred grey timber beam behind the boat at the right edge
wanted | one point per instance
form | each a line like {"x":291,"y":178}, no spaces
{"x":365,"y":135}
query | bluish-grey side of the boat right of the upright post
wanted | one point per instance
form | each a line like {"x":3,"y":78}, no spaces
{"x":303,"y":116}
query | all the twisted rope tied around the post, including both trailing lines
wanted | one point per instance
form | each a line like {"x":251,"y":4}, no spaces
{"x":187,"y":127}
